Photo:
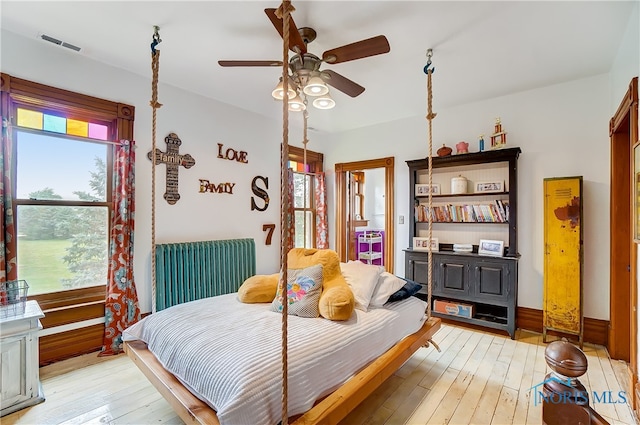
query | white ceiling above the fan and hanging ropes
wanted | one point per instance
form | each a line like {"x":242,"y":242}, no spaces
{"x":481,"y":49}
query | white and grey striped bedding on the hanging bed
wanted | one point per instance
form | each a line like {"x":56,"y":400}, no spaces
{"x":229,"y":353}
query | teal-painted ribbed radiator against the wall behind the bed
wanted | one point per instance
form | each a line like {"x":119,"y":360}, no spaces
{"x":190,"y":271}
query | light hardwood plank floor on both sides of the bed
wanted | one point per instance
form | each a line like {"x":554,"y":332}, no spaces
{"x":478,"y":378}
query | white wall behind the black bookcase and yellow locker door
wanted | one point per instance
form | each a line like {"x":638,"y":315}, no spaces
{"x":562,"y":131}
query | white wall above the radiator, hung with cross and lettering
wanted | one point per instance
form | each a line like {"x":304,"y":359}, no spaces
{"x":201,"y":124}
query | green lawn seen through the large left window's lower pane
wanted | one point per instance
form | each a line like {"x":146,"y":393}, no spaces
{"x":40,"y":264}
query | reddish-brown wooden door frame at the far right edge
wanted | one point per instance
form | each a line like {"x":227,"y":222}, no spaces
{"x":623,"y":333}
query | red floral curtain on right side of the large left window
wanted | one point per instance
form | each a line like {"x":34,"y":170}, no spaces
{"x":121,"y":307}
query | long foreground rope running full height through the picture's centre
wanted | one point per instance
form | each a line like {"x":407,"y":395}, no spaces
{"x":283,"y":13}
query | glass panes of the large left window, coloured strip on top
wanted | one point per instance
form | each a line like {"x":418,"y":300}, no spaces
{"x":62,"y":200}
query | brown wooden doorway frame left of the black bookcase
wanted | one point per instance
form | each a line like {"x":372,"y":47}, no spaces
{"x":349,"y":211}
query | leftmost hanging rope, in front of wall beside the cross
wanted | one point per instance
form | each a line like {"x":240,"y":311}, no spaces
{"x":155,"y":66}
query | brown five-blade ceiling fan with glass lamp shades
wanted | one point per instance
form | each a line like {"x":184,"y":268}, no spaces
{"x":305,"y":66}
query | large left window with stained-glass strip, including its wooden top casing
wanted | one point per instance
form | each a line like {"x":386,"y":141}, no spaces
{"x":61,"y":172}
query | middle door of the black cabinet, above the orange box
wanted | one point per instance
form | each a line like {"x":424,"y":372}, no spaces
{"x":452,"y":277}
